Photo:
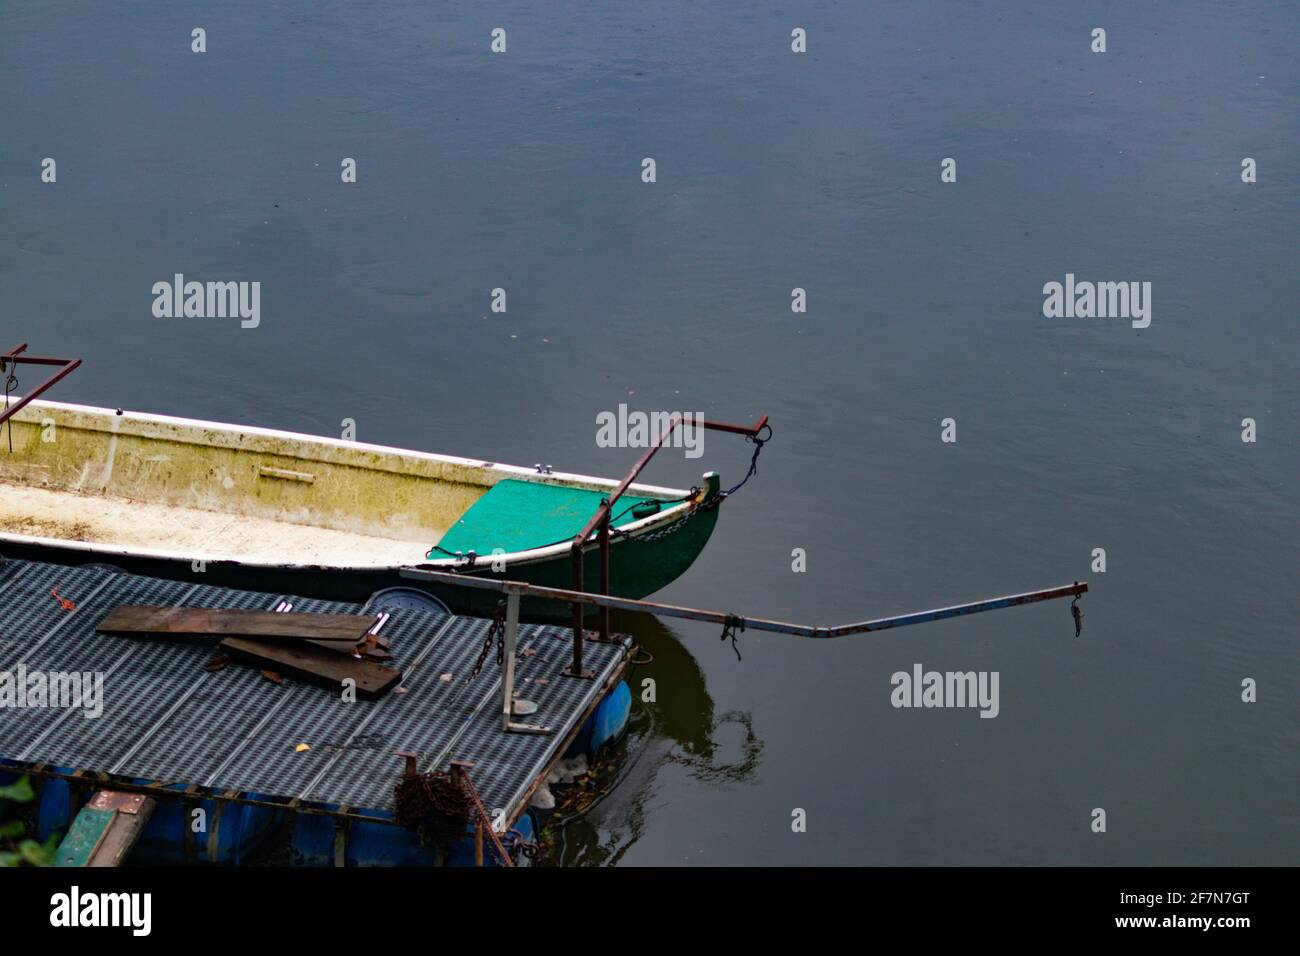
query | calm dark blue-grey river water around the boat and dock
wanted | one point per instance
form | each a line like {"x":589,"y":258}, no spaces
{"x":775,"y":171}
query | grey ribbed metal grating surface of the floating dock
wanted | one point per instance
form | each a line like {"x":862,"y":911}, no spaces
{"x":166,"y":719}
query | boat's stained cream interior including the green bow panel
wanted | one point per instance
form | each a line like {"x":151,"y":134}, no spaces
{"x":151,"y":483}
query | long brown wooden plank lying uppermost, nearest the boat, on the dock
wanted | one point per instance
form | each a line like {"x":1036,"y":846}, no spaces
{"x":192,"y":622}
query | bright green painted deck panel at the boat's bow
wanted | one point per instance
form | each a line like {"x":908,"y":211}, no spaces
{"x":517,"y":516}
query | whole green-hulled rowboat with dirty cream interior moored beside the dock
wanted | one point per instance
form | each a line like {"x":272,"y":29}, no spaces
{"x":280,"y":512}
